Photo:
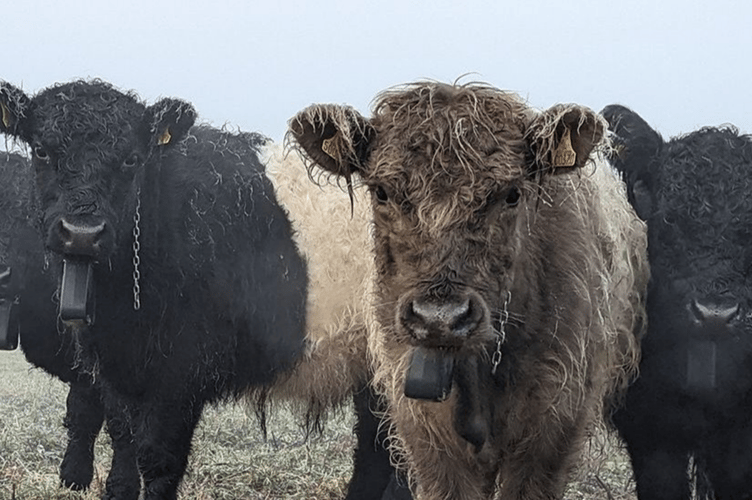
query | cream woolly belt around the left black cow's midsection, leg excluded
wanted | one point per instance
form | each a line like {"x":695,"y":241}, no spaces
{"x":338,"y":251}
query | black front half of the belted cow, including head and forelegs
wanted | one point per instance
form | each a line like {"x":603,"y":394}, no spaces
{"x":200,"y":291}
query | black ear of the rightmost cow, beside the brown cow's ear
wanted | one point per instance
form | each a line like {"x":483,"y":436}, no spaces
{"x":636,"y":149}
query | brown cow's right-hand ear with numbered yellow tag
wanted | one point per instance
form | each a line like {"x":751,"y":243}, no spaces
{"x":563,"y":137}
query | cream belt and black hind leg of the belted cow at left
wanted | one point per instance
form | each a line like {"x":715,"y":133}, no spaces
{"x":337,"y":246}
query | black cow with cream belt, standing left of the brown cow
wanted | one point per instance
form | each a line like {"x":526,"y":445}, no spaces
{"x":214,"y":307}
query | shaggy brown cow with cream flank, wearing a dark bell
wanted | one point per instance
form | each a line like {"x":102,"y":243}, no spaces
{"x":510,"y":273}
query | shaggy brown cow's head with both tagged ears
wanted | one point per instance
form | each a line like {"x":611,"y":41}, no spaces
{"x":455,"y":177}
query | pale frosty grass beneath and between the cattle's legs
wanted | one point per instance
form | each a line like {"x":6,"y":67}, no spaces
{"x":230,"y":458}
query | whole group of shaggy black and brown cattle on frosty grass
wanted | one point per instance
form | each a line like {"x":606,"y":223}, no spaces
{"x":488,"y":283}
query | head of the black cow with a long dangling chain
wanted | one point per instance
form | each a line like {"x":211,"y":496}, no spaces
{"x":89,"y":144}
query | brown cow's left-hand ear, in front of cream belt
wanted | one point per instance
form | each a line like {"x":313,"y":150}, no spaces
{"x":333,"y":138}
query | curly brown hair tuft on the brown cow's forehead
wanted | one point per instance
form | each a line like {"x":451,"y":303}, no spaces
{"x":446,"y":148}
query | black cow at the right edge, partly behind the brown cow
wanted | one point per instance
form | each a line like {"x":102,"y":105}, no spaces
{"x":693,"y":400}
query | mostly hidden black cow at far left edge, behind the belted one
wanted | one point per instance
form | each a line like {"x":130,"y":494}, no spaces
{"x":27,"y":288}
